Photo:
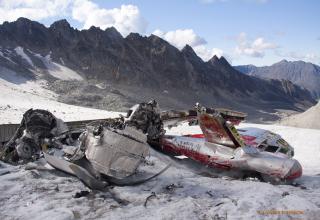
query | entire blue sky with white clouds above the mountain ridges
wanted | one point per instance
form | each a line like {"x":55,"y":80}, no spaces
{"x":259,"y":32}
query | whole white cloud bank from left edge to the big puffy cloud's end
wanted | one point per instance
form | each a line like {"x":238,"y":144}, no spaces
{"x":125,"y":19}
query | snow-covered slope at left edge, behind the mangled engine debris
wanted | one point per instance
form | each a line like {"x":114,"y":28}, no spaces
{"x":17,"y":95}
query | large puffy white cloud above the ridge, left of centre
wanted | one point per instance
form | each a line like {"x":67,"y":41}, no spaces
{"x":125,"y":19}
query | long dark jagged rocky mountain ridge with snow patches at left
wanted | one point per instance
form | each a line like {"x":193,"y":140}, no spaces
{"x":101,"y":68}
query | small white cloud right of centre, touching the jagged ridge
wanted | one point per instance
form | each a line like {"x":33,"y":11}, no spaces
{"x":181,"y":37}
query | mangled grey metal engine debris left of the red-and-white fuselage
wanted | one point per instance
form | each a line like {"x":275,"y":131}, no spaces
{"x":104,"y":152}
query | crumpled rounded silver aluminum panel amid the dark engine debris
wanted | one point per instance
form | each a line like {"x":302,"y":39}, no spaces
{"x":117,"y":154}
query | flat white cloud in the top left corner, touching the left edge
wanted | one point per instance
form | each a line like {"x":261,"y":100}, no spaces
{"x":10,"y":10}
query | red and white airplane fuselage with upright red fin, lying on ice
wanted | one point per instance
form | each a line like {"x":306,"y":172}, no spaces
{"x":259,"y":150}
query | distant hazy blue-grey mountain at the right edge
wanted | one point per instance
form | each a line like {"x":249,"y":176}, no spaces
{"x":306,"y":75}
